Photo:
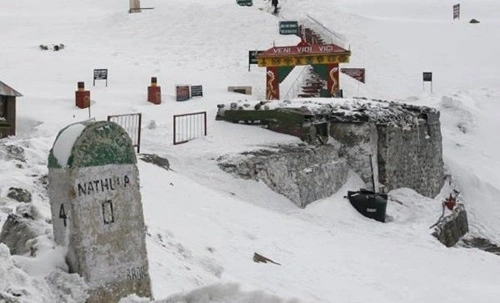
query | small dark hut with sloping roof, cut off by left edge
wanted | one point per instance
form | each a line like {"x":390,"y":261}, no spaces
{"x":7,"y":110}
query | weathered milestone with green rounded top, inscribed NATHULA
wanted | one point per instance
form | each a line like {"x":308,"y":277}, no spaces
{"x":97,"y":211}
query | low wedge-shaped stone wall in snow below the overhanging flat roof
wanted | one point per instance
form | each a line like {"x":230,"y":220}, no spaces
{"x":302,"y":173}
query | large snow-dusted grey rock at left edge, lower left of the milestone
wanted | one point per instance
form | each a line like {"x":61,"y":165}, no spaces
{"x":16,"y":232}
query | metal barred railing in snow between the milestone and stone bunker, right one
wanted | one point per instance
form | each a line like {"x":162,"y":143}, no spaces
{"x":189,"y":126}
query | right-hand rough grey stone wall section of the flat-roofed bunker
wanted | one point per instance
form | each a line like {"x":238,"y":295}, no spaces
{"x":411,"y":156}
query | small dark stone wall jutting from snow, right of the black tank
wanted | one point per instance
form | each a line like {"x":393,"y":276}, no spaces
{"x":451,"y":228}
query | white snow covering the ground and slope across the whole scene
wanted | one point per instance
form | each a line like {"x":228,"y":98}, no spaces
{"x":203,"y":224}
